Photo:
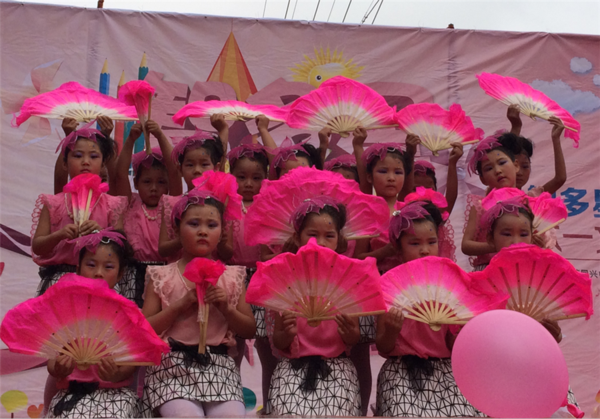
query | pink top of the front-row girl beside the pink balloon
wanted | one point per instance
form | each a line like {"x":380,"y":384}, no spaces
{"x":417,"y":338}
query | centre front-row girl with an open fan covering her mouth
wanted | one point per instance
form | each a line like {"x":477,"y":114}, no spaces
{"x":314,"y":377}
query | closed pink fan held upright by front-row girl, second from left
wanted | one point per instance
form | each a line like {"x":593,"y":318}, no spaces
{"x":203,"y":272}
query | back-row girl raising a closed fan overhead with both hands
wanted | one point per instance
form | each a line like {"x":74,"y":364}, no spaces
{"x":153,"y":177}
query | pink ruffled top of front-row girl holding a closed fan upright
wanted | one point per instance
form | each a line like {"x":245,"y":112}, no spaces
{"x":169,"y":285}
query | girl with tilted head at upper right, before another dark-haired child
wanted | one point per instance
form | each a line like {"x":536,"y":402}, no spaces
{"x":497,"y":168}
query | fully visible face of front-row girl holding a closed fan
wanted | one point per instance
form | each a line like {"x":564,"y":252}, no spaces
{"x":200,"y":230}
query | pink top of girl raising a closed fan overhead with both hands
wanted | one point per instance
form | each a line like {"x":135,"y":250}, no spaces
{"x":142,"y":232}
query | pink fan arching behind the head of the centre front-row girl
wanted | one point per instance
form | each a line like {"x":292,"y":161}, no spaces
{"x":269,"y":218}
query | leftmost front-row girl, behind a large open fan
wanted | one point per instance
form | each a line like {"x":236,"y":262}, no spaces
{"x":103,"y":390}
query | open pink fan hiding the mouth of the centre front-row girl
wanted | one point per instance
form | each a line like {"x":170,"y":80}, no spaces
{"x":317,"y":284}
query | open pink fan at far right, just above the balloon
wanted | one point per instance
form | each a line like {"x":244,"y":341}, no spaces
{"x":539,"y":282}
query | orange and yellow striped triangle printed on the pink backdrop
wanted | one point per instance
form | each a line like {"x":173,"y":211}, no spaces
{"x":231,"y":68}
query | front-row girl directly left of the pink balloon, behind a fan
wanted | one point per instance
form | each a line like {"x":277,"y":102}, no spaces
{"x":416,"y":380}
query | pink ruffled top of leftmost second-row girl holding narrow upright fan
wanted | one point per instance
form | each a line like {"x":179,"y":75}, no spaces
{"x":106,"y":212}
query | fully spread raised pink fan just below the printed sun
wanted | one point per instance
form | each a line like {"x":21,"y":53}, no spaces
{"x":341,"y":104}
